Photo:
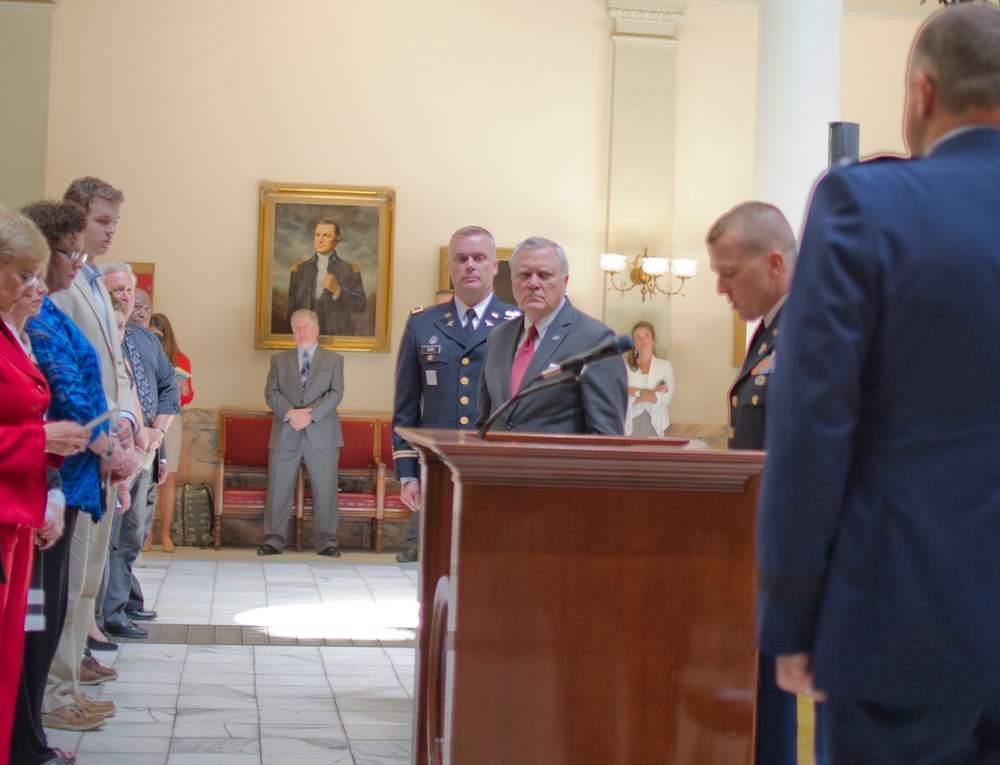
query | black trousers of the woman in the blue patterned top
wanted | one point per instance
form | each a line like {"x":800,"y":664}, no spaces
{"x":28,"y":745}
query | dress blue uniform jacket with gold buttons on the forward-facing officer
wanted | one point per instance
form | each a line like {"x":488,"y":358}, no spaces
{"x":437,"y":373}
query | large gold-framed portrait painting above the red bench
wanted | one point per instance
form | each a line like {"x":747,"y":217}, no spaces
{"x":327,"y":249}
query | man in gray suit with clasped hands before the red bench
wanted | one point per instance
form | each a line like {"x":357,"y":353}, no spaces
{"x":304,"y":388}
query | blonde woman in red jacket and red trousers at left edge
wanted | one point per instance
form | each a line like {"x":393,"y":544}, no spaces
{"x":26,"y":440}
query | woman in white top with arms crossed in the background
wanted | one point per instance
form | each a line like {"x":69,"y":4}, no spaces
{"x":650,"y":386}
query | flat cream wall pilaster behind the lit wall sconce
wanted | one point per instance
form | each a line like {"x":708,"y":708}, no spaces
{"x":641,"y":156}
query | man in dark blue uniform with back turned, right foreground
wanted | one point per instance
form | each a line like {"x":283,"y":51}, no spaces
{"x":879,"y":516}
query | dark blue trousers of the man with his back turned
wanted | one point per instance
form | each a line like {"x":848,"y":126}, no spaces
{"x":943,"y":733}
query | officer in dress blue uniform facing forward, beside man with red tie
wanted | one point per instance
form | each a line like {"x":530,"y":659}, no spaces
{"x":440,"y":357}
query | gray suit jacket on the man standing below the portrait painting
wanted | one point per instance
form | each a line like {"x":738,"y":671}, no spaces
{"x":324,"y":390}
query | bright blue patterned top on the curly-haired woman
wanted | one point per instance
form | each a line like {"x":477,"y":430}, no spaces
{"x":70,"y":364}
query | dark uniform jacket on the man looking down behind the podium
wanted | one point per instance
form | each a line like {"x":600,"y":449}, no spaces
{"x":748,"y":396}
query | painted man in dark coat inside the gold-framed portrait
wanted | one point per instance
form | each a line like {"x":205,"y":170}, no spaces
{"x":327,"y":285}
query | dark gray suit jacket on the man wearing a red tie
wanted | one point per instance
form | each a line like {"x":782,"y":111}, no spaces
{"x":595,"y":405}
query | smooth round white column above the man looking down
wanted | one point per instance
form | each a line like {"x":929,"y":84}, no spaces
{"x":798,"y":94}
